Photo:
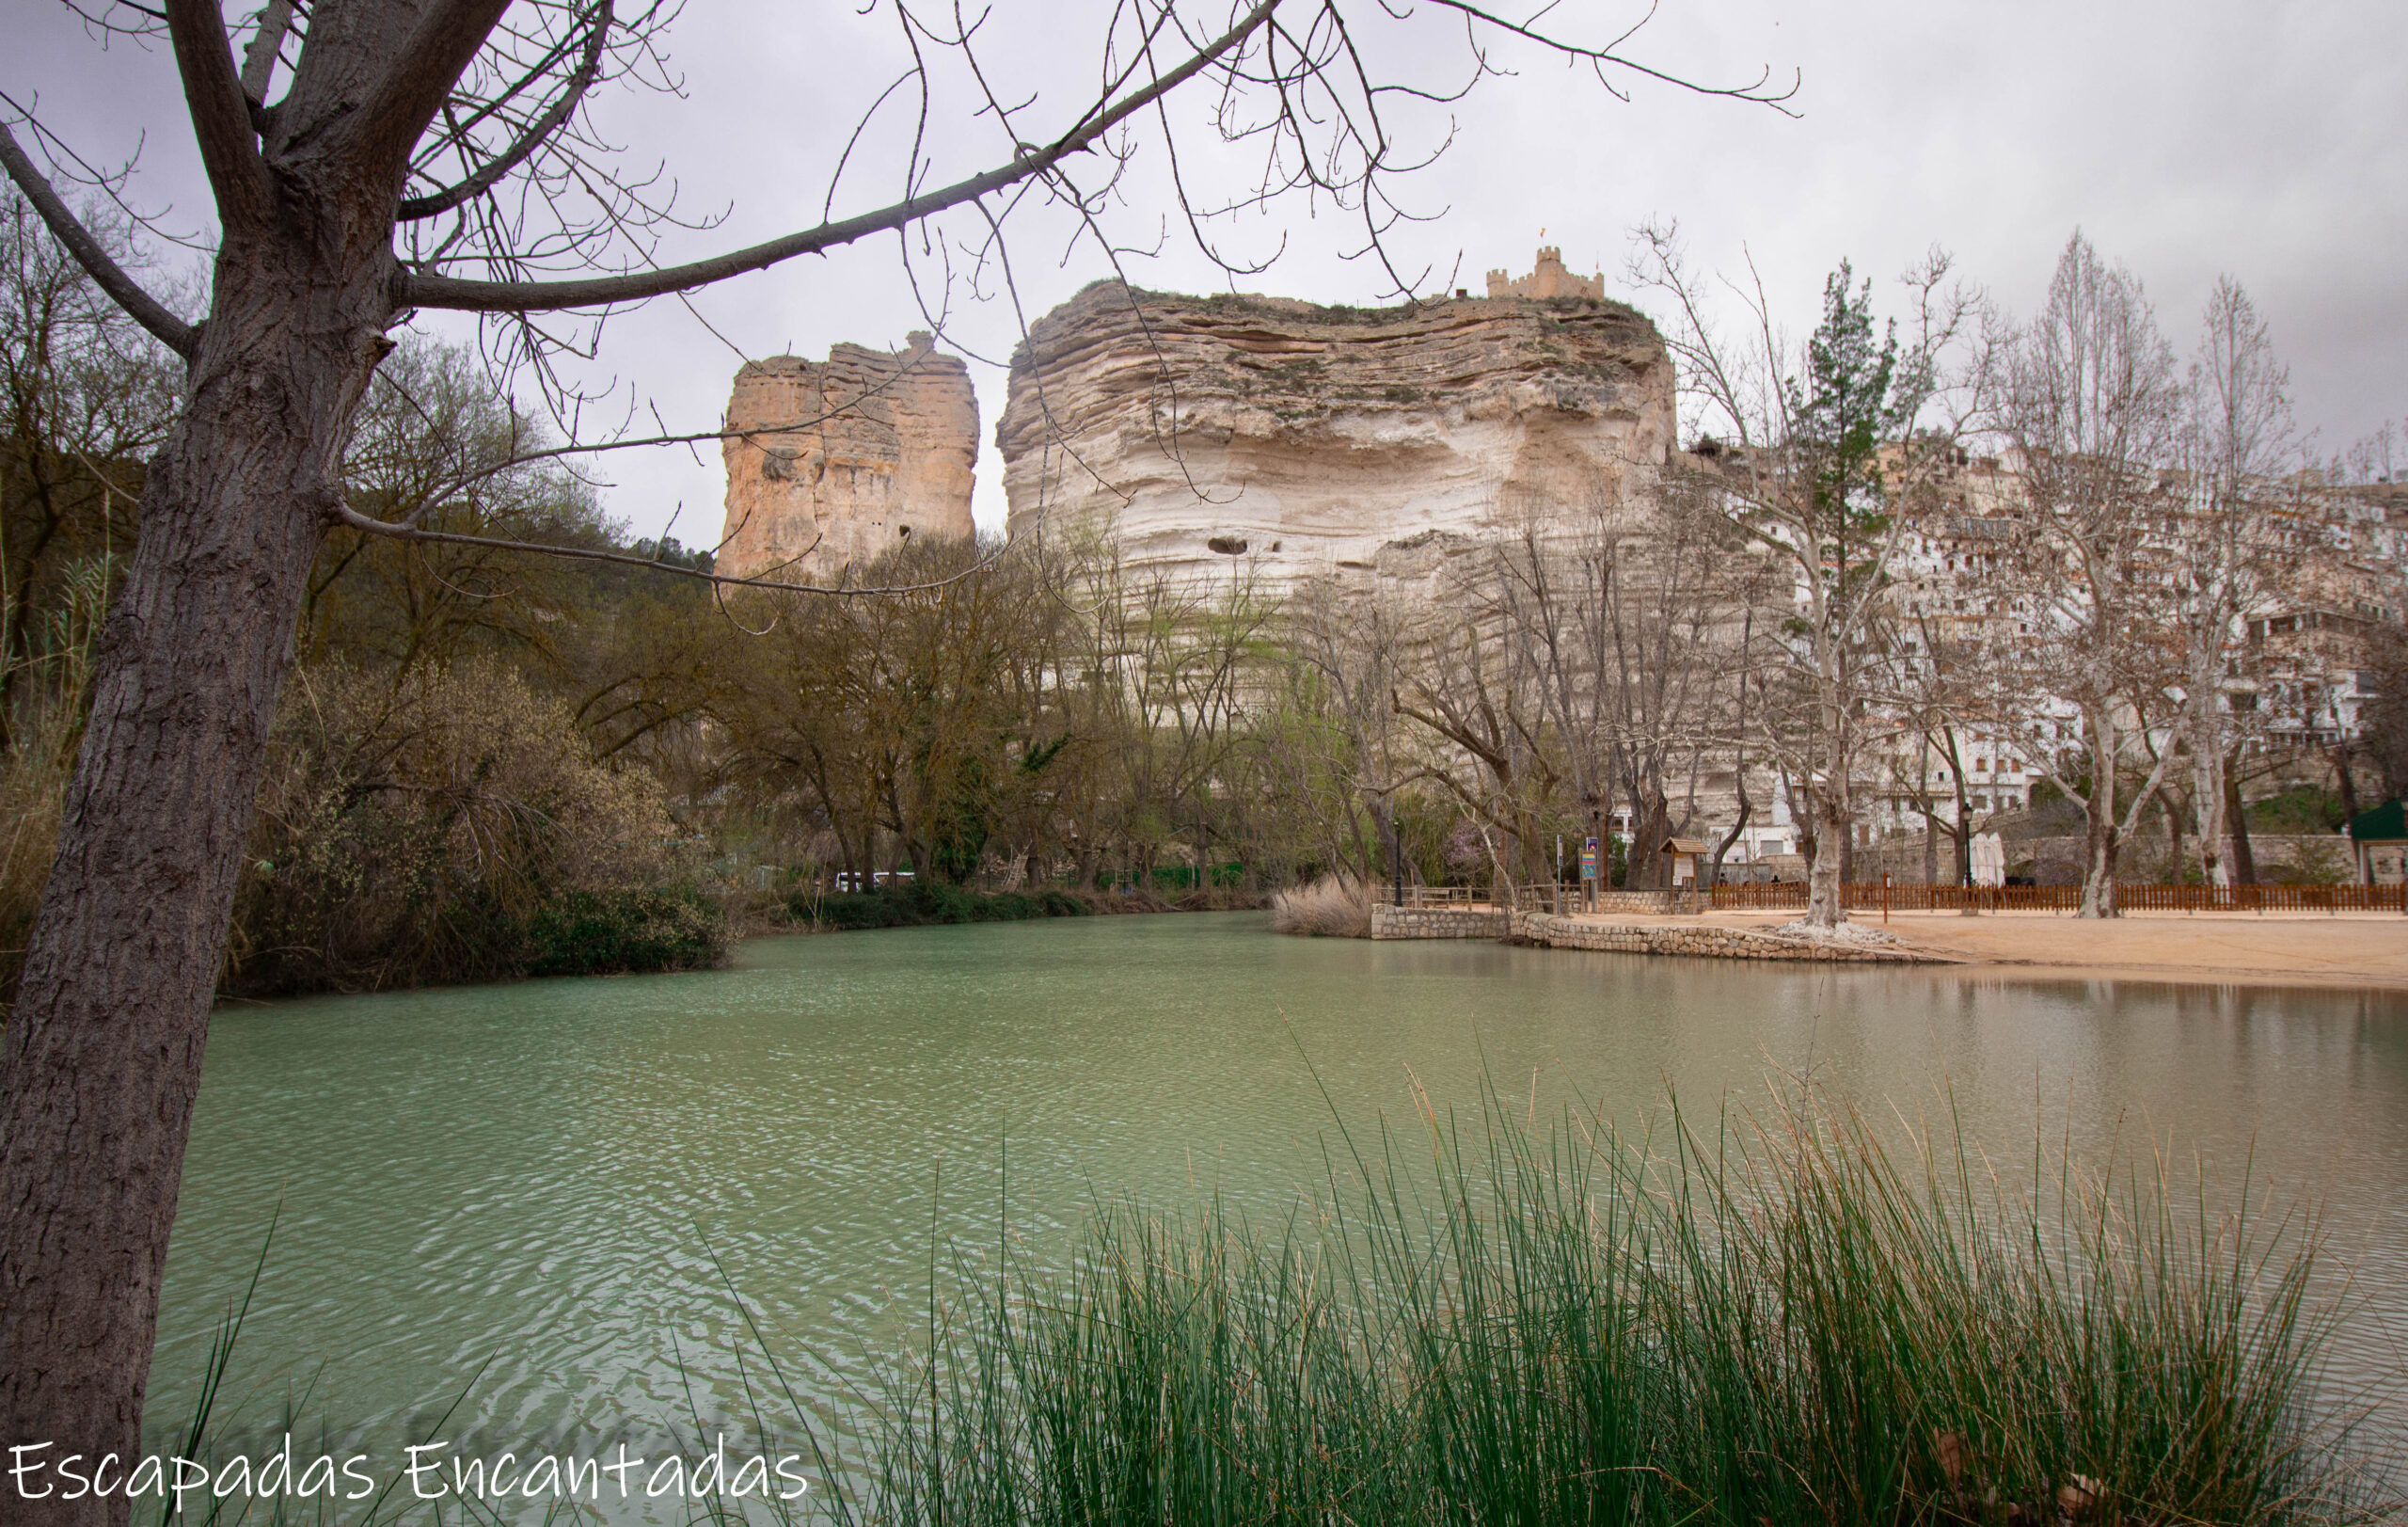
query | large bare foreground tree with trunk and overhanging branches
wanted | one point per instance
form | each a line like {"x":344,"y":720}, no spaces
{"x":430,"y":155}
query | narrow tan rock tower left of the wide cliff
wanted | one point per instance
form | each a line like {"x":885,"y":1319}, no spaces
{"x":846,"y":459}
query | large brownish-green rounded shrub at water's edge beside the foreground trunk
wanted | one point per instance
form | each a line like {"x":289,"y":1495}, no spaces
{"x":449,"y":825}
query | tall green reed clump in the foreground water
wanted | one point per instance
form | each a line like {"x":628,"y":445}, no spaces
{"x":1771,"y":1323}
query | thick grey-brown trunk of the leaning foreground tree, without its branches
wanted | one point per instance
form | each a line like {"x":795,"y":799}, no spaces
{"x":107,"y":1037}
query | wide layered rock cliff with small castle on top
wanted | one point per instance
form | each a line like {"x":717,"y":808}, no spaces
{"x":1330,"y":440}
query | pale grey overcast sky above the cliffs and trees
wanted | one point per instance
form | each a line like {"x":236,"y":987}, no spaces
{"x":2188,"y":138}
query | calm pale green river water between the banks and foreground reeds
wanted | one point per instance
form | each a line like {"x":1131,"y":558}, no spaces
{"x":526,"y":1179}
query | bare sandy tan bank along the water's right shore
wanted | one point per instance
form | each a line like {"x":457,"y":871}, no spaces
{"x":2342,"y":950}
